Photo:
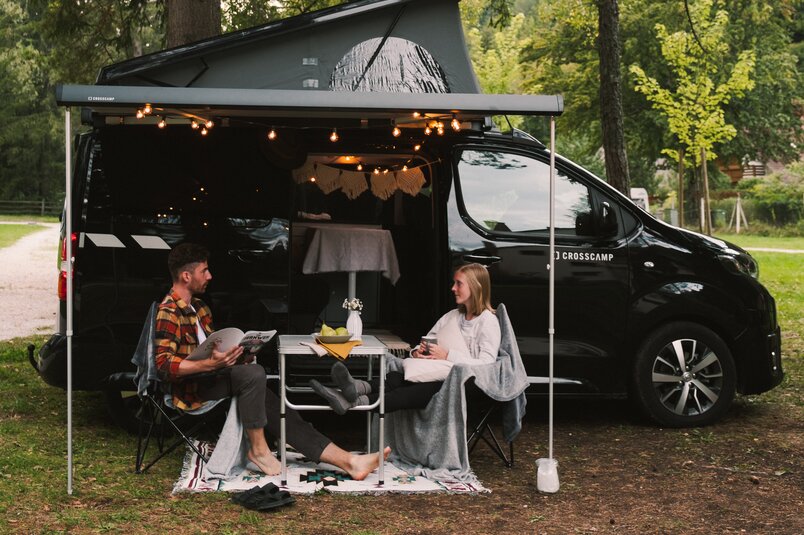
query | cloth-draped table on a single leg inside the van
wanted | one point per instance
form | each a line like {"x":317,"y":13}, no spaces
{"x":351,"y":248}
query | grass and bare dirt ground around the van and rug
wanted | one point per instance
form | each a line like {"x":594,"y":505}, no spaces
{"x":617,"y":475}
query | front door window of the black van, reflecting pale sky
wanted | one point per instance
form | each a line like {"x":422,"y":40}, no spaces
{"x":509,"y":193}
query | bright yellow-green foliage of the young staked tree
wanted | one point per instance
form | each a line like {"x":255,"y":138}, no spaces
{"x":702,"y":84}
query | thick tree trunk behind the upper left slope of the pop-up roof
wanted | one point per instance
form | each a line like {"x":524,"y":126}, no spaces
{"x":192,"y":20}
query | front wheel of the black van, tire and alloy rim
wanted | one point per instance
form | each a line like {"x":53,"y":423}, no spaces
{"x":695,"y":394}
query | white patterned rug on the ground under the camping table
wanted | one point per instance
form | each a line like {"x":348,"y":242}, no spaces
{"x":307,"y":477}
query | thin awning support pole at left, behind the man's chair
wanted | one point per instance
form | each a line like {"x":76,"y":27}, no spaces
{"x":68,"y":232}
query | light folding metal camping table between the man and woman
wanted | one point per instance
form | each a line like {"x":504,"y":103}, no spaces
{"x":290,"y":345}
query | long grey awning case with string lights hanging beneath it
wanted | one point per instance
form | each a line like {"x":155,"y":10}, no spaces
{"x":125,"y":100}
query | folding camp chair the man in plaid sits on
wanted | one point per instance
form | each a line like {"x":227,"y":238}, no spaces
{"x":159,"y":419}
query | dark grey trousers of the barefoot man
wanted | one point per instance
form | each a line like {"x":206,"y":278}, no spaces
{"x":259,"y":407}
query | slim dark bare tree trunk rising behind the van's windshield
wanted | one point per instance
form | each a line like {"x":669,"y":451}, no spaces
{"x":611,"y":106}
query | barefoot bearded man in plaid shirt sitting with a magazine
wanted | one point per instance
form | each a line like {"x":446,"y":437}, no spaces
{"x":183,"y":321}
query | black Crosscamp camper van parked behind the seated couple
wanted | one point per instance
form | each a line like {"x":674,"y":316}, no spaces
{"x":675,"y":319}
